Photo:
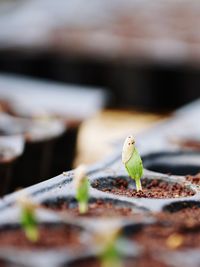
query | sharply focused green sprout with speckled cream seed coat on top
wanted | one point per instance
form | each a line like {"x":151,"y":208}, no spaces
{"x":132,"y":161}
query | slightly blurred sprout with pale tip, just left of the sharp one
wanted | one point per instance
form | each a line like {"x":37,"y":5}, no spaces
{"x":82,"y":188}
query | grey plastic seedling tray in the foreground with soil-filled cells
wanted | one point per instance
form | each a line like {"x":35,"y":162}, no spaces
{"x":161,"y":225}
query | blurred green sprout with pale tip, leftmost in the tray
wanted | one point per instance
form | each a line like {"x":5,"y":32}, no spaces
{"x":28,"y":218}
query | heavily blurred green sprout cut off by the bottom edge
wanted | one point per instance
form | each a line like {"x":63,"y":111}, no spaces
{"x":110,"y":255}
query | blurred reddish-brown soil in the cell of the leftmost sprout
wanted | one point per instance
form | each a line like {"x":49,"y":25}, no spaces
{"x":49,"y":237}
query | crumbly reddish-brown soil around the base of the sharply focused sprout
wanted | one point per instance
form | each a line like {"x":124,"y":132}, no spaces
{"x":150,"y":189}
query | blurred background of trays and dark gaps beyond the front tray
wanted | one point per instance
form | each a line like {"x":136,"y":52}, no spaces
{"x":89,"y":72}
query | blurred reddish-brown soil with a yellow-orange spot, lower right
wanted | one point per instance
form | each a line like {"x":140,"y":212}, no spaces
{"x":160,"y":237}
